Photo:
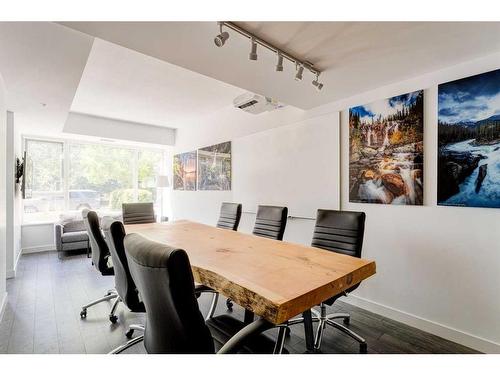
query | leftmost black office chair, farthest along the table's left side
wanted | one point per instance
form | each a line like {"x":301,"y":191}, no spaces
{"x":100,"y":260}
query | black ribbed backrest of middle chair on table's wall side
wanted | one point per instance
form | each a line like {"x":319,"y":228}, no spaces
{"x":270,"y":222}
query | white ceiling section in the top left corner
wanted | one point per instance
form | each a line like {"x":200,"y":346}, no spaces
{"x":41,"y":63}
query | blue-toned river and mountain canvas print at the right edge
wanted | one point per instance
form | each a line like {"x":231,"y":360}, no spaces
{"x":469,"y":141}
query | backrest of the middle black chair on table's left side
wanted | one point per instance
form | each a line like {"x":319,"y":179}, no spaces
{"x":114,"y":233}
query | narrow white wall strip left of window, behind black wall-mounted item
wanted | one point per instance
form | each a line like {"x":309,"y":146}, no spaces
{"x":14,"y":201}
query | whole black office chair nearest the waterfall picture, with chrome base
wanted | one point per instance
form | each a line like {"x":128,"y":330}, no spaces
{"x":341,"y":232}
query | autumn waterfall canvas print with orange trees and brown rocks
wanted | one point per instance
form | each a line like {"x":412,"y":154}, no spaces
{"x":386,"y":151}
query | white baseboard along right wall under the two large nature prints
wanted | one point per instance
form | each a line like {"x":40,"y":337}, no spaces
{"x":452,"y":334}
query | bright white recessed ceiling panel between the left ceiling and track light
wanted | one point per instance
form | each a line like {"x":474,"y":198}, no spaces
{"x":123,"y":84}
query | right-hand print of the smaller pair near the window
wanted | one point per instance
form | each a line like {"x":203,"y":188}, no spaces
{"x":214,"y":167}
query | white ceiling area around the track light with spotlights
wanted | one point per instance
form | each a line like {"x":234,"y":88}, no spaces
{"x":355,"y":56}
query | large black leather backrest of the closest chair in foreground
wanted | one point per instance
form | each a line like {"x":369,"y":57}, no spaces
{"x":163,"y":275}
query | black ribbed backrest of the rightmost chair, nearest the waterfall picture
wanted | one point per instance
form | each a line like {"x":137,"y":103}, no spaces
{"x":339,"y":231}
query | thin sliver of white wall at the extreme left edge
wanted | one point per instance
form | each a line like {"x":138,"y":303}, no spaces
{"x":3,"y":154}
